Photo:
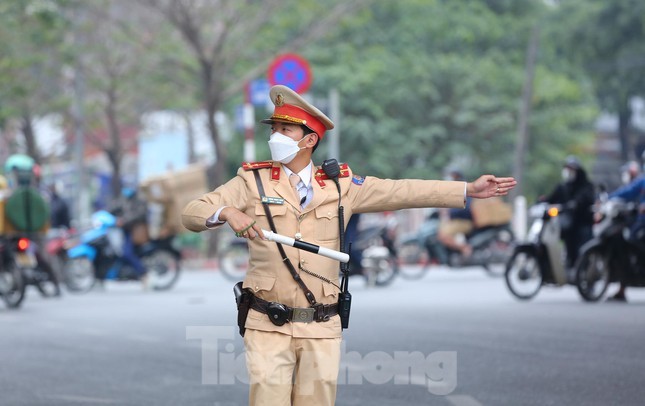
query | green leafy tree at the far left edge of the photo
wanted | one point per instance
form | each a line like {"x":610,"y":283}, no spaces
{"x":30,"y":65}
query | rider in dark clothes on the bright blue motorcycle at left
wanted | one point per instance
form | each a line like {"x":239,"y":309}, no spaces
{"x":131,"y":213}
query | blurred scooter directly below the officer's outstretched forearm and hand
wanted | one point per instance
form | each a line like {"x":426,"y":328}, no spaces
{"x":491,"y":248}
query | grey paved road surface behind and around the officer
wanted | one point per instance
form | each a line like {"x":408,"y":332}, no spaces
{"x":452,"y":338}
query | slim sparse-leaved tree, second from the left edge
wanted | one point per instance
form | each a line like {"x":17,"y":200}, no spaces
{"x":113,"y":63}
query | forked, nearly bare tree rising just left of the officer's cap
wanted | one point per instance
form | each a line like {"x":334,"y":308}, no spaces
{"x":228,"y":44}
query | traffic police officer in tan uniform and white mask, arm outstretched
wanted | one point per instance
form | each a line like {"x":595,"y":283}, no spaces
{"x":297,"y":362}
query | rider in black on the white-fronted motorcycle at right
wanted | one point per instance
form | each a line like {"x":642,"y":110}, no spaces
{"x":576,"y":193}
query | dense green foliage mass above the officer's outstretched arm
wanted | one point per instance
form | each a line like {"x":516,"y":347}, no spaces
{"x":427,"y":85}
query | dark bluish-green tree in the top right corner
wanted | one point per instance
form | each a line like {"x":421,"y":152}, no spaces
{"x":608,"y":40}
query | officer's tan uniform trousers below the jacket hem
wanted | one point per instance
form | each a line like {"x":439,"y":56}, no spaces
{"x":285,"y":371}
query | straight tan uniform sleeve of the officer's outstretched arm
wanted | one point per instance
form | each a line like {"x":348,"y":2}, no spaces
{"x":372,"y":194}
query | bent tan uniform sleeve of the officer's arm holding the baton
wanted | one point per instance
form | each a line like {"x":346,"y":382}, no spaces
{"x":233,"y":193}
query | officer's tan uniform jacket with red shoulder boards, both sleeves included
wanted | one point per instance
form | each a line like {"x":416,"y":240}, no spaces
{"x":268,"y":276}
